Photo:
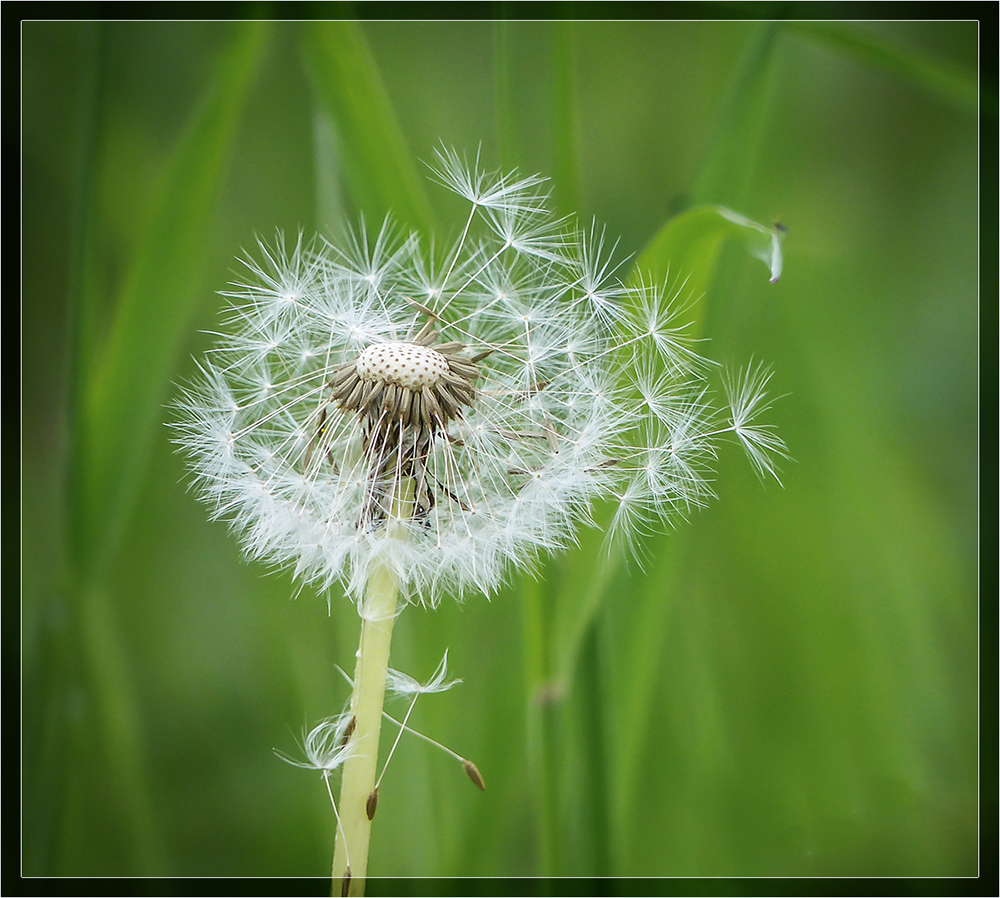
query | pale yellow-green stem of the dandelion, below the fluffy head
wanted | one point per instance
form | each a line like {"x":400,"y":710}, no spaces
{"x":378,"y":616}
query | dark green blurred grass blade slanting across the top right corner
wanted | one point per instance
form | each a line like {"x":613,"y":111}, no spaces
{"x":955,"y":84}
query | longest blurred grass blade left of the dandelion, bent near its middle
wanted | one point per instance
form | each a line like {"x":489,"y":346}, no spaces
{"x":121,"y":388}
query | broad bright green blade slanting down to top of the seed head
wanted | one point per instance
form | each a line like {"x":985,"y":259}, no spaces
{"x":380,"y":171}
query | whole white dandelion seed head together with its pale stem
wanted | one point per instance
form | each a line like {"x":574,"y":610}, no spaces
{"x":408,"y":425}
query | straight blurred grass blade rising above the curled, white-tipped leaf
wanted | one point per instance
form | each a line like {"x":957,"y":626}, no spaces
{"x":726,"y":174}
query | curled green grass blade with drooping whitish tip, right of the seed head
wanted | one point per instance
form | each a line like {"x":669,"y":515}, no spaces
{"x":688,"y":247}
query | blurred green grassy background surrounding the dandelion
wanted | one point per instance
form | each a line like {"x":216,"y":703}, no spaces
{"x":788,"y":684}
